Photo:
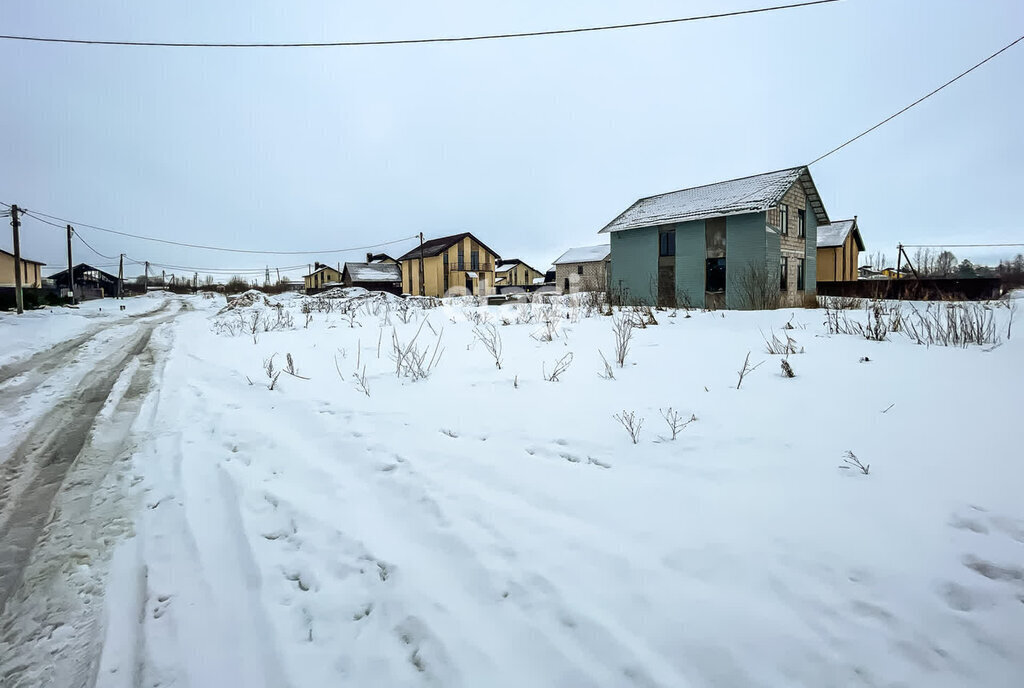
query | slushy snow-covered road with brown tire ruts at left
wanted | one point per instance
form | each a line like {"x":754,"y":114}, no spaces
{"x":71,"y":408}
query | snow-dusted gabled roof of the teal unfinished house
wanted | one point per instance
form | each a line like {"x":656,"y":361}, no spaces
{"x":736,"y":197}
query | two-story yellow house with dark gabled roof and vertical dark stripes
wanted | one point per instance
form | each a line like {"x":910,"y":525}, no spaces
{"x":452,"y":266}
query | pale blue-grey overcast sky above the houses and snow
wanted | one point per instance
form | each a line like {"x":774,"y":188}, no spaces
{"x":533,"y":145}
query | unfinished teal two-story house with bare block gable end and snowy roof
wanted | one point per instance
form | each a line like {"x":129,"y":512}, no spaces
{"x":748,"y":243}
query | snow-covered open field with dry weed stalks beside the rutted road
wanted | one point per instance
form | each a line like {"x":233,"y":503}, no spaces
{"x":395,"y":509}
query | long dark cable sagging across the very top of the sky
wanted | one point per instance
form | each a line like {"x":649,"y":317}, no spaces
{"x":418,"y":41}
